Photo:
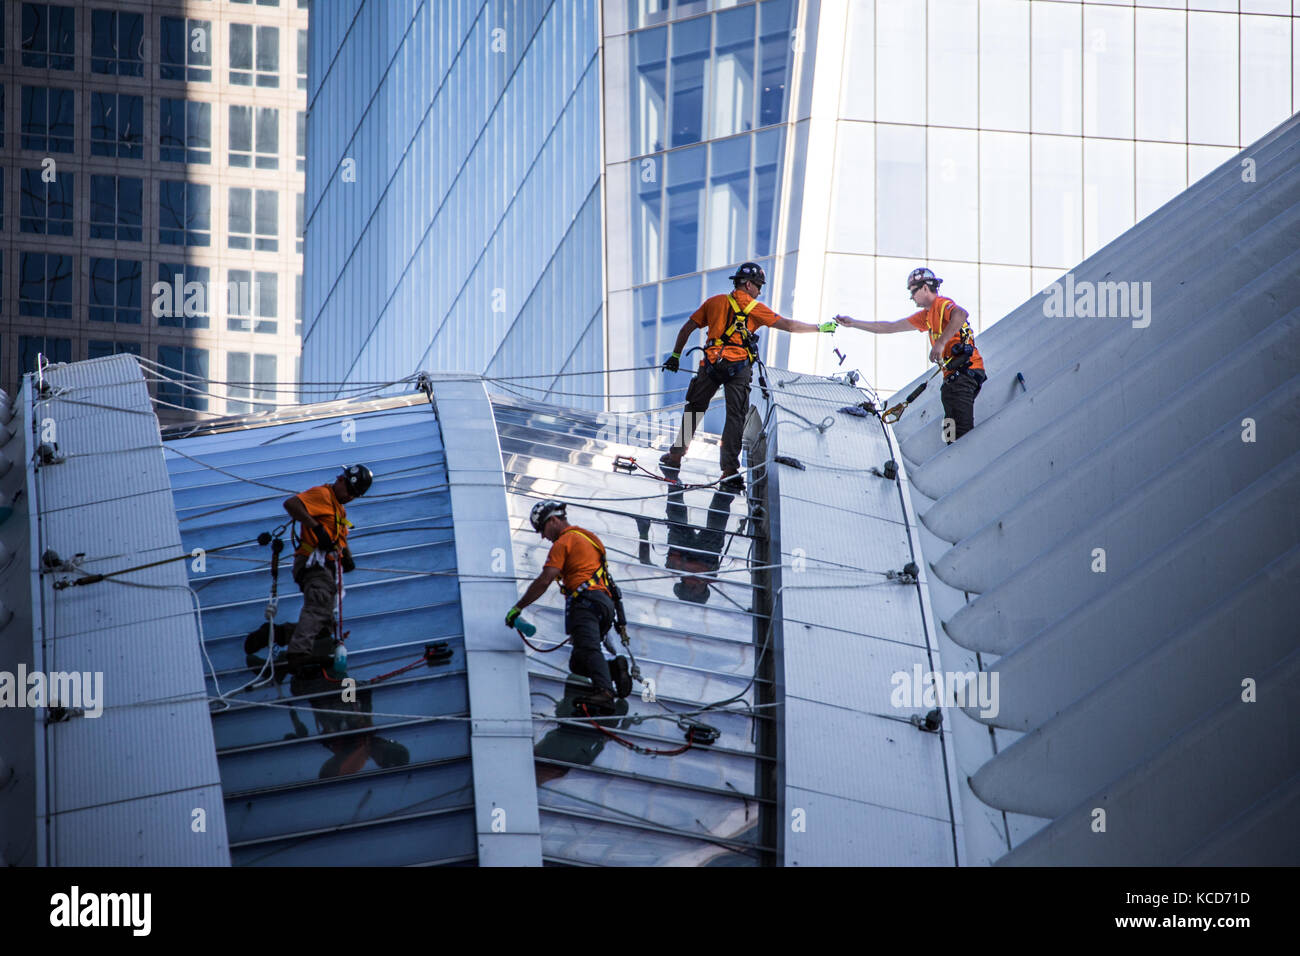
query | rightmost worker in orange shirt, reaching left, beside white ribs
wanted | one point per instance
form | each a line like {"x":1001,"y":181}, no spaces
{"x":952,"y":345}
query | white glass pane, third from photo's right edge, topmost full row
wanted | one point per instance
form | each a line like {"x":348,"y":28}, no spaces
{"x":1162,"y":75}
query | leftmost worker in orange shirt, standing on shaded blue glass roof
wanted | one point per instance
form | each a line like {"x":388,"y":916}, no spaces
{"x":324,"y":525}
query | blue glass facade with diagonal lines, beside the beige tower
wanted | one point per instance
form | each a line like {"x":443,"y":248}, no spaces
{"x":453,"y":207}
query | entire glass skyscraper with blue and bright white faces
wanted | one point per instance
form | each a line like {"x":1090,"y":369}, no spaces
{"x":463,"y":163}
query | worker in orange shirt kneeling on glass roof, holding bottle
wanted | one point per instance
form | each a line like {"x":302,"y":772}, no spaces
{"x":578,"y":561}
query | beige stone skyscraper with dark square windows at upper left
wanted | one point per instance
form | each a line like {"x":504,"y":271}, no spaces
{"x":154,"y":180}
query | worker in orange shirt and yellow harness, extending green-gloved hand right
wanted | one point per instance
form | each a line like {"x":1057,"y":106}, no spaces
{"x":733,"y":322}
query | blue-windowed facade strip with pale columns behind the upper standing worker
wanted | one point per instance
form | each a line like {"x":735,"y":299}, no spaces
{"x":707,"y":139}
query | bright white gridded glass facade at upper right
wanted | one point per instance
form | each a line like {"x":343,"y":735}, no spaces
{"x":1004,"y":142}
